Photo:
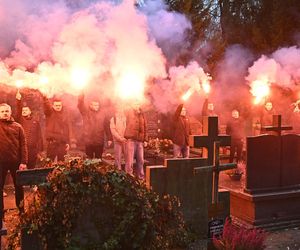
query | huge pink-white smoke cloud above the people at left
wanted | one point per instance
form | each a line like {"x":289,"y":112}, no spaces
{"x":56,"y":45}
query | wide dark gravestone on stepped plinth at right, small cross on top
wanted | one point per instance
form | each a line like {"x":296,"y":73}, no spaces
{"x":271,"y":198}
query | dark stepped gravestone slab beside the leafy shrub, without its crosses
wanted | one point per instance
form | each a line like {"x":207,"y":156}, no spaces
{"x":177,"y":177}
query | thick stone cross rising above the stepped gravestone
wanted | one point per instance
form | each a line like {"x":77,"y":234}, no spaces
{"x":211,"y":135}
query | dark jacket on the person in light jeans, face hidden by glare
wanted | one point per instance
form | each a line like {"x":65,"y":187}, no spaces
{"x":136,"y":126}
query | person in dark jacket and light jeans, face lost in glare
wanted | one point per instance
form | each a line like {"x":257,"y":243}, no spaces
{"x":136,"y":135}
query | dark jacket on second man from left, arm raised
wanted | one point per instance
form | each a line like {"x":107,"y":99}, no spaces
{"x":31,"y":128}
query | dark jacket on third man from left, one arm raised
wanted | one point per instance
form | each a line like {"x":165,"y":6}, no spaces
{"x":57,"y":124}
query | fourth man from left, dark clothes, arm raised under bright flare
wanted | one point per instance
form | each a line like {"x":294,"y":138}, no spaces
{"x":95,"y":126}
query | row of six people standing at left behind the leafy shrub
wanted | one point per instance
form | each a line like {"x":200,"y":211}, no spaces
{"x":22,"y":140}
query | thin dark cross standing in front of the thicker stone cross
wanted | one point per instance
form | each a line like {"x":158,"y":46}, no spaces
{"x":217,"y":168}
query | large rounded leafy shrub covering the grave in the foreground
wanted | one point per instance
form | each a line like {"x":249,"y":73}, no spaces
{"x":88,"y":205}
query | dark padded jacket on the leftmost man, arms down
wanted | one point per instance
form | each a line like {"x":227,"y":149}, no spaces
{"x":13,"y":147}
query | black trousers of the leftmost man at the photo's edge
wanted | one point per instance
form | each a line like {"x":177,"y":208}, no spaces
{"x":19,"y":193}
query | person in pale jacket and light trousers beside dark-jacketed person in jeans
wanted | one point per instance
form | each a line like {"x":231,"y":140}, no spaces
{"x":117,"y":127}
